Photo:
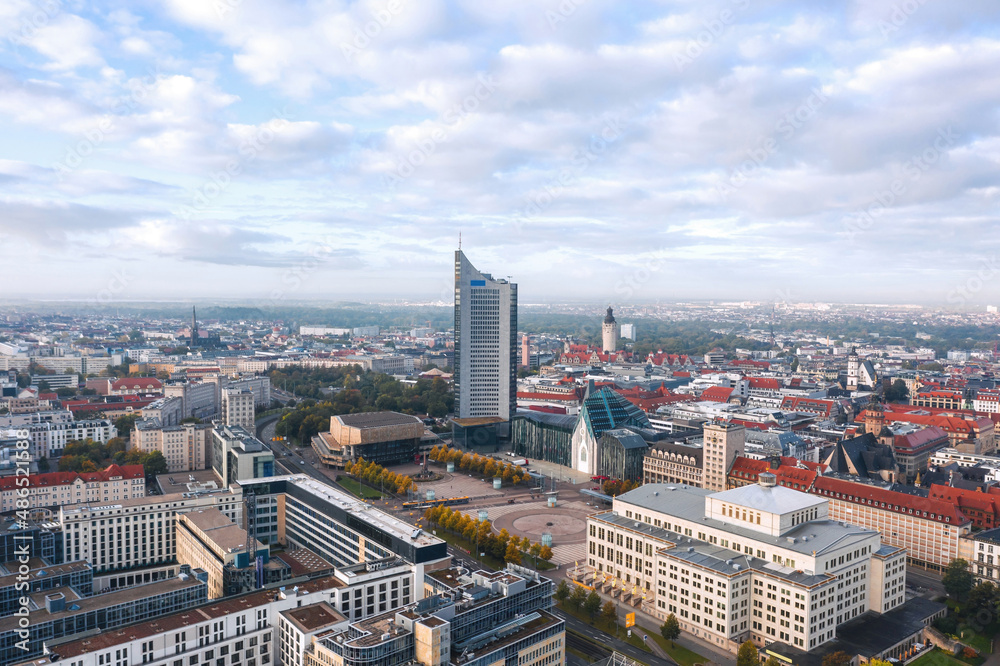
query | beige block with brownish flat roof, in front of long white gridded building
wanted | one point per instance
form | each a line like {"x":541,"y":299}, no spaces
{"x":209,"y":540}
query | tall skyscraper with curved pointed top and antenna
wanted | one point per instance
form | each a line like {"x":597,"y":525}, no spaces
{"x":485,"y":343}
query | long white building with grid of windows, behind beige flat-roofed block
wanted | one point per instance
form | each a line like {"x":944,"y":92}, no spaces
{"x":135,"y":533}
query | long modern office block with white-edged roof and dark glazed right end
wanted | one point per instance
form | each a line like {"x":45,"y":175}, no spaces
{"x":339,"y":527}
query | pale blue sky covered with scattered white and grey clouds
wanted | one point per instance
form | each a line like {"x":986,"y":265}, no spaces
{"x":631,"y":152}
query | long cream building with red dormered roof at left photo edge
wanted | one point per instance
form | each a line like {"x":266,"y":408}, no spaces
{"x":54,"y":489}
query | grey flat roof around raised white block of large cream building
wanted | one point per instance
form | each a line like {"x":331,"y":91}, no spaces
{"x":688,"y":503}
